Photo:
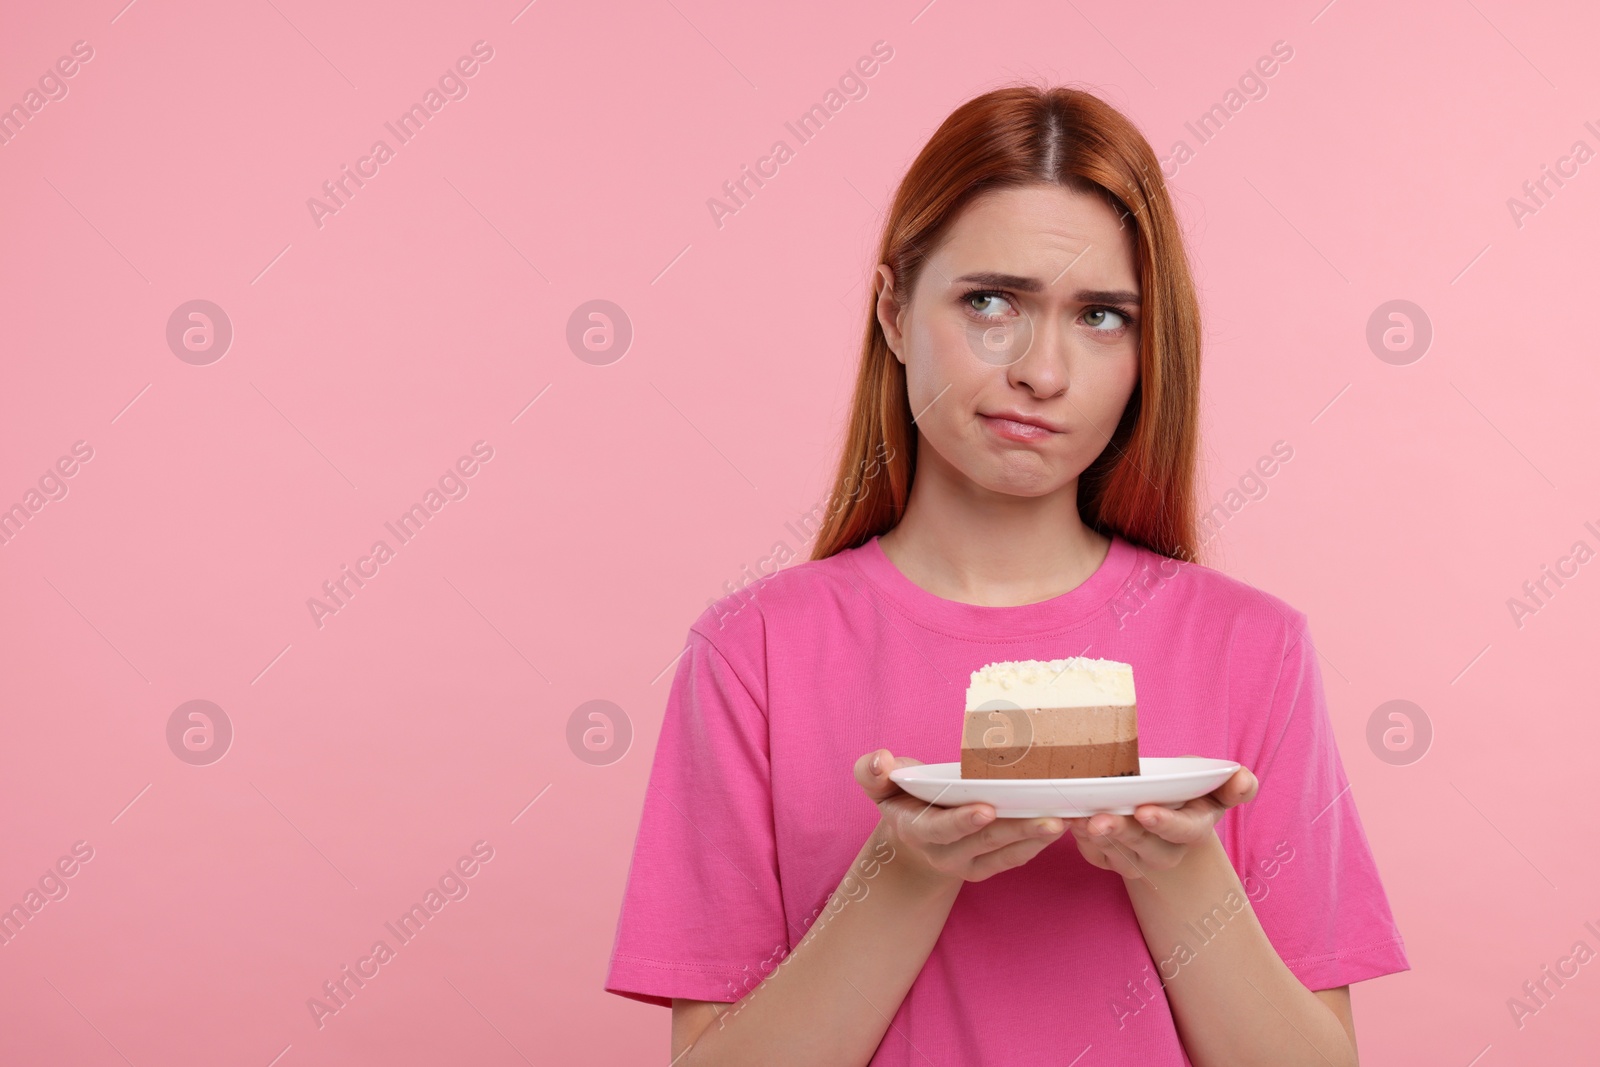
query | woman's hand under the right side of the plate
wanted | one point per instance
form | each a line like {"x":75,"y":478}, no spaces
{"x":1156,"y":837}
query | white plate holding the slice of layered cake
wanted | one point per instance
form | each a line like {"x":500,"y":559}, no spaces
{"x":1167,"y":781}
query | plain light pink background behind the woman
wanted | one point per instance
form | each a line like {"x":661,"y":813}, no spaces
{"x":372,"y":353}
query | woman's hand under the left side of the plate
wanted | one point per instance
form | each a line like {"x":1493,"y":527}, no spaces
{"x":966,"y":844}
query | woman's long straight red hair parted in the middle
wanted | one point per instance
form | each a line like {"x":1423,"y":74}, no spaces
{"x":1142,"y":486}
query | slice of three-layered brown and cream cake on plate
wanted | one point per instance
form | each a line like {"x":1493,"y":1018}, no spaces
{"x":1050,"y":719}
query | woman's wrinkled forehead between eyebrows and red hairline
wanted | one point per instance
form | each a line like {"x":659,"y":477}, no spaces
{"x":1039,"y":231}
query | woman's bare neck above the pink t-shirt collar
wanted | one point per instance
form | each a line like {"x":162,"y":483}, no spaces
{"x":966,"y":543}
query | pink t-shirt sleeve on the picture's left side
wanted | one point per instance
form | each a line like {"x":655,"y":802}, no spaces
{"x":703,"y":914}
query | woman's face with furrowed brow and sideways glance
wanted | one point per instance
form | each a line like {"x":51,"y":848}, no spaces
{"x":1026,"y":310}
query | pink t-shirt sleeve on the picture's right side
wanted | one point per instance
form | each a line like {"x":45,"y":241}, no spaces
{"x":1300,"y":850}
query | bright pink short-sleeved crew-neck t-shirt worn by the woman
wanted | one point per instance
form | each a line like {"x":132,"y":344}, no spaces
{"x":753,"y":815}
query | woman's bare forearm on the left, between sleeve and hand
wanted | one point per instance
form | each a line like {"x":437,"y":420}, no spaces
{"x":830,"y":1001}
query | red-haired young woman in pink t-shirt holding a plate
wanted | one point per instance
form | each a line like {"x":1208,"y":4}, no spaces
{"x":1017,"y":484}
